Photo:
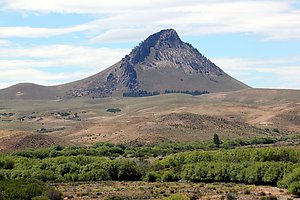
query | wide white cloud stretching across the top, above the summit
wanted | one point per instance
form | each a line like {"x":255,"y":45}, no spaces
{"x":132,"y":19}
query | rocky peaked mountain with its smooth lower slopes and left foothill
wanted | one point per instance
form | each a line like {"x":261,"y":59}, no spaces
{"x":161,"y":62}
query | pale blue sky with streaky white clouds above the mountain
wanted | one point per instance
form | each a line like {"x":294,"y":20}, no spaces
{"x":51,"y":42}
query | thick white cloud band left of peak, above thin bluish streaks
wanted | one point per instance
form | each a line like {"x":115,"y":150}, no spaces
{"x":60,"y":55}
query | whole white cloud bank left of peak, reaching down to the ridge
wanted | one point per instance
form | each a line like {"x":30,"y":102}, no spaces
{"x":36,"y":64}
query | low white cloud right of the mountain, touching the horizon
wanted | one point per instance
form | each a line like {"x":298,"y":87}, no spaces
{"x":270,"y":73}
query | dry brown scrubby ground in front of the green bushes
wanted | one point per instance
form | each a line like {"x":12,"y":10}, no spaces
{"x":144,"y":190}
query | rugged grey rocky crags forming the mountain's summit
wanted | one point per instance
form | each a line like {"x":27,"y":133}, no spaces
{"x":165,"y":47}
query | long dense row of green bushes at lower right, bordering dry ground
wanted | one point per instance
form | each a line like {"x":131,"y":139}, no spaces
{"x":247,"y":172}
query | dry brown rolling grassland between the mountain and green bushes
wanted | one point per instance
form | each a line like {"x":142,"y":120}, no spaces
{"x":175,"y":117}
